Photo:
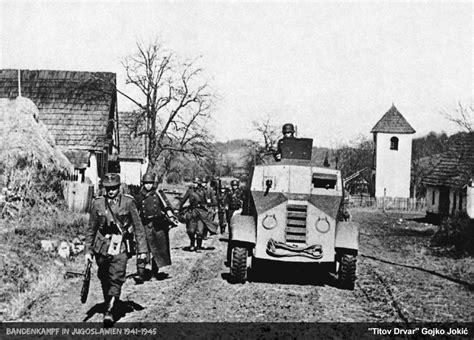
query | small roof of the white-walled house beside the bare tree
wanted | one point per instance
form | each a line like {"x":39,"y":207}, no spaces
{"x":132,"y":147}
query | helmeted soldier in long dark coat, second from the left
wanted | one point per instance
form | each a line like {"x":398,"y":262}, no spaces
{"x":152,"y":214}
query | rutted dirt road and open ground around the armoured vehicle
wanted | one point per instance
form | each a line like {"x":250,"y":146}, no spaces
{"x":196,"y":287}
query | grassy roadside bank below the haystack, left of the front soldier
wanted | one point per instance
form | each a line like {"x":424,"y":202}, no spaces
{"x":29,"y":274}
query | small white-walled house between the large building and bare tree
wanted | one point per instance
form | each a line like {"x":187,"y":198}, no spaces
{"x":132,"y":150}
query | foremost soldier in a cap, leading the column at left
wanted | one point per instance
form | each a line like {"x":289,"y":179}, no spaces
{"x":110,"y":217}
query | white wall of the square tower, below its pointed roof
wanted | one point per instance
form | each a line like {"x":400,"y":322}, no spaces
{"x":393,"y":166}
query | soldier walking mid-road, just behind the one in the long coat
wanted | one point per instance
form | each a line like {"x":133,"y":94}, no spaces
{"x":196,"y":216}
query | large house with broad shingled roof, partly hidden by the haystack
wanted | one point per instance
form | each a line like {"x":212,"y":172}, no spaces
{"x":80,"y":111}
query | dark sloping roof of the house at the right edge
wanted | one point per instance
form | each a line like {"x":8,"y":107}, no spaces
{"x":456,"y":166}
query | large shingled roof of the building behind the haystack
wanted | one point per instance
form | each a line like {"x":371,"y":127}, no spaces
{"x":77,"y":107}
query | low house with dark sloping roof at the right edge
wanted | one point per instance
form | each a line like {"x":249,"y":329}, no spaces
{"x":449,"y":187}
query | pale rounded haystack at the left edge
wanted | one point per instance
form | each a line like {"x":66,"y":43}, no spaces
{"x":24,"y":137}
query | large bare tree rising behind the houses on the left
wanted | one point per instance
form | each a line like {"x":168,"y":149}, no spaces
{"x":173,"y":104}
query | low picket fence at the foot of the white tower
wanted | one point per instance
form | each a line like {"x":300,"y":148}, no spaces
{"x":387,"y":203}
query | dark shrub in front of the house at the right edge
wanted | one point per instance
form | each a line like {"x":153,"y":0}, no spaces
{"x":456,"y":231}
